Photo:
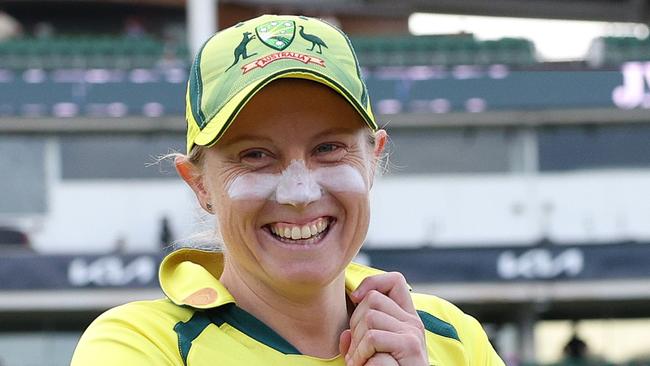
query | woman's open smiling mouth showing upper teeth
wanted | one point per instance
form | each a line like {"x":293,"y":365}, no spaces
{"x":310,"y":233}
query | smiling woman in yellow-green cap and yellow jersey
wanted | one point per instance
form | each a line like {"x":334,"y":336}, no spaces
{"x":282,"y":149}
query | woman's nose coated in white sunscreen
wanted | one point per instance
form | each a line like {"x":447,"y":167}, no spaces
{"x":297,"y":186}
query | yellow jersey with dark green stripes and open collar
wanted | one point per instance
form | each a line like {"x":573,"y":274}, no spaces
{"x":200,"y":324}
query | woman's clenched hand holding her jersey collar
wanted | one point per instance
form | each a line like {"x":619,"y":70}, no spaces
{"x":384,"y":328}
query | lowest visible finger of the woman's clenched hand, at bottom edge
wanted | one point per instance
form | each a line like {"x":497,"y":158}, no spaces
{"x":404,"y":348}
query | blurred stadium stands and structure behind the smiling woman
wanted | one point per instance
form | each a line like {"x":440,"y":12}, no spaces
{"x":517,"y":186}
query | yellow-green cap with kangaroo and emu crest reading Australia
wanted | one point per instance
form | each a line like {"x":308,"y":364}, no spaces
{"x":238,"y":61}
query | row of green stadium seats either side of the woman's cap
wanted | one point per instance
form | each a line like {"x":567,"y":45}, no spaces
{"x":105,"y":51}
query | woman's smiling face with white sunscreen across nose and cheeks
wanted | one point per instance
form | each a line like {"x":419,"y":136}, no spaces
{"x":284,"y":239}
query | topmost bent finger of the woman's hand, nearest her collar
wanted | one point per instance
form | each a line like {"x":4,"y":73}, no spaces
{"x":392,"y":284}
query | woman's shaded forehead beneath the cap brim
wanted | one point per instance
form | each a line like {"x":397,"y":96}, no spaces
{"x":295,"y":106}
